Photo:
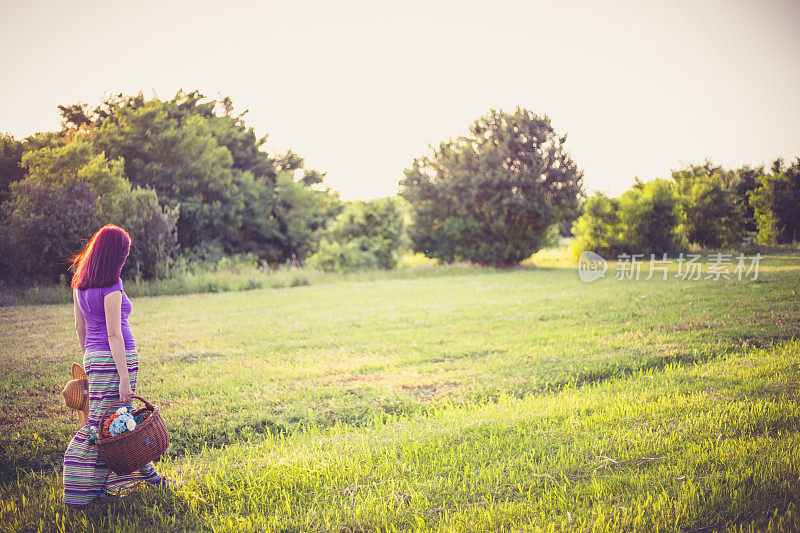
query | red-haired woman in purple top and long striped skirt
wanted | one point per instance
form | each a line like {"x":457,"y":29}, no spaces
{"x":110,"y":361}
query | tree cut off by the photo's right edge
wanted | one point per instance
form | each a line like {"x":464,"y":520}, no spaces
{"x":776,"y":204}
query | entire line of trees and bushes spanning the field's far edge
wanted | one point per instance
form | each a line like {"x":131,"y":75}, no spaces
{"x":189,"y":179}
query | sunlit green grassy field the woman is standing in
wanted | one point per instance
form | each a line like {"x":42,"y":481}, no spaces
{"x":474,"y":400}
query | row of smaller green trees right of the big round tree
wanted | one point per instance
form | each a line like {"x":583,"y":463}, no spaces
{"x":705,"y":205}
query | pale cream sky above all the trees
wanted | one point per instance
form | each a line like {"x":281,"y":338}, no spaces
{"x":361,"y":88}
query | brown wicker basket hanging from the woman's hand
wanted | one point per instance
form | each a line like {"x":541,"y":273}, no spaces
{"x":131,"y":450}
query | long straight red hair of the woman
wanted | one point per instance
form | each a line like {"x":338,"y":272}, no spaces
{"x":100,"y":262}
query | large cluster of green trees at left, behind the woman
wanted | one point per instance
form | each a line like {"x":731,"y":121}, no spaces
{"x":182,"y":174}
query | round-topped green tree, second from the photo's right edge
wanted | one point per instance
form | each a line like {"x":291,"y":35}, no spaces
{"x":712,"y":215}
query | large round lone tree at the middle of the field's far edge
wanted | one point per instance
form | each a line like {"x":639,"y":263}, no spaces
{"x":490,"y":196}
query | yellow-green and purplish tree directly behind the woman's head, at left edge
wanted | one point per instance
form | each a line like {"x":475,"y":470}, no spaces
{"x":68,"y":193}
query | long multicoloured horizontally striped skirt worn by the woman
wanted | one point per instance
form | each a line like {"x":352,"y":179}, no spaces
{"x":86,"y":476}
